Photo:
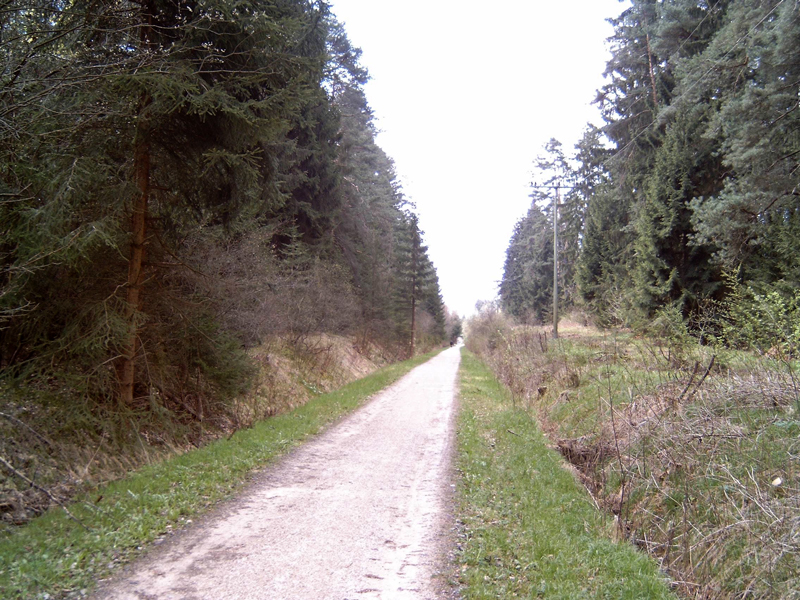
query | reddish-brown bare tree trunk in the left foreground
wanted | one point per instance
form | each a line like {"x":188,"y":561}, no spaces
{"x":141,"y":167}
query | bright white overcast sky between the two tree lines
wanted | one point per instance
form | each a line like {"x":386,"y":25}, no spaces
{"x":466,"y":94}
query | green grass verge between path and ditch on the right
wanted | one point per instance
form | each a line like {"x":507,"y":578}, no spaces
{"x":530,"y":529}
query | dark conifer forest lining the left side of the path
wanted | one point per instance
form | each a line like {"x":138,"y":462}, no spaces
{"x":183,"y":182}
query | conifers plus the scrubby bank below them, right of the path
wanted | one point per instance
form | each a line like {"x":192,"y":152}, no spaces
{"x":673,"y":387}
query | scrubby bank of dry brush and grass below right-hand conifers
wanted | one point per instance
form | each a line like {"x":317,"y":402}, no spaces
{"x":695,"y":450}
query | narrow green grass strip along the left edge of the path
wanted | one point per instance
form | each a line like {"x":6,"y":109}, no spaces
{"x":53,"y":556}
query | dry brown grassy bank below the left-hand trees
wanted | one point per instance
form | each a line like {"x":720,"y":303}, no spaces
{"x":63,"y":448}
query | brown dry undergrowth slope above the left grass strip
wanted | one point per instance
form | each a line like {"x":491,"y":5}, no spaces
{"x":53,"y":432}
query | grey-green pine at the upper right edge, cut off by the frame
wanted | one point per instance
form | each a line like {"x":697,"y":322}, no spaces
{"x":753,"y":220}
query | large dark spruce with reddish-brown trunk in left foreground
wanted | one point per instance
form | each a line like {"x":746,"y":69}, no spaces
{"x":166,"y":122}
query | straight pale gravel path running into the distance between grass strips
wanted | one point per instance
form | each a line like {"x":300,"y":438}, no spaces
{"x":360,"y":512}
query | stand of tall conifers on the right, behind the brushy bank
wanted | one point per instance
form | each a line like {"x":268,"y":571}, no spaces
{"x":685,"y":201}
